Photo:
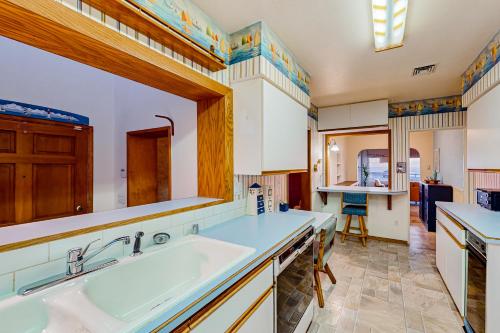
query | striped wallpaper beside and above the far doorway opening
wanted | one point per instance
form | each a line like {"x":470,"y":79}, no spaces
{"x":402,"y":126}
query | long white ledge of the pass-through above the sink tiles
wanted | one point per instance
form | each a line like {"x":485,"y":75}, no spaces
{"x":28,"y":231}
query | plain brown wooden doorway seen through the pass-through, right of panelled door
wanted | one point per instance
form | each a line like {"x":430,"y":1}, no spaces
{"x":149,"y":166}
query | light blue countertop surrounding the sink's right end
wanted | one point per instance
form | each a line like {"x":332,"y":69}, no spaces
{"x":266,"y":233}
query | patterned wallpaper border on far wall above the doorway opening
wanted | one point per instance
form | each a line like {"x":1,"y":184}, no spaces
{"x":426,"y":106}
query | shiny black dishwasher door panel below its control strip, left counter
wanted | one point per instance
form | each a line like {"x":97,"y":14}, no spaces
{"x":294,"y":291}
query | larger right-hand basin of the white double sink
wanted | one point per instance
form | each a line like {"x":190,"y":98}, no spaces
{"x":161,"y":278}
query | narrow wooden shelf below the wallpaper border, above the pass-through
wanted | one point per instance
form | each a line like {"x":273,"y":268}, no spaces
{"x":147,"y":23}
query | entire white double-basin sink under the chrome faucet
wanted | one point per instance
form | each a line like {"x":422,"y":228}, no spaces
{"x":126,"y":295}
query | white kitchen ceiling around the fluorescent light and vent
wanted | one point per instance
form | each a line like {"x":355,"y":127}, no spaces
{"x":332,"y":40}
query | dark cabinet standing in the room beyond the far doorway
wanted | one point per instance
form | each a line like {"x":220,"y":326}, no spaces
{"x":429,"y":194}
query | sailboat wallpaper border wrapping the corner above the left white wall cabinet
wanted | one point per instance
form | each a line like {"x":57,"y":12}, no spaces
{"x":258,"y":39}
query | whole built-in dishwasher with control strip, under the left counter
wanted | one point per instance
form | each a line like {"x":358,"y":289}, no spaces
{"x":294,"y":291}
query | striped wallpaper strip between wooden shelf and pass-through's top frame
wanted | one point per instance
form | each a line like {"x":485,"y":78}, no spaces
{"x":83,"y":8}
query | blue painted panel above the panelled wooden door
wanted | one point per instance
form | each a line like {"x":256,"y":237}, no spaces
{"x":40,"y":112}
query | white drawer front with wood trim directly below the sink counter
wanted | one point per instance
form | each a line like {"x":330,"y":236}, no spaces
{"x":230,"y":310}
